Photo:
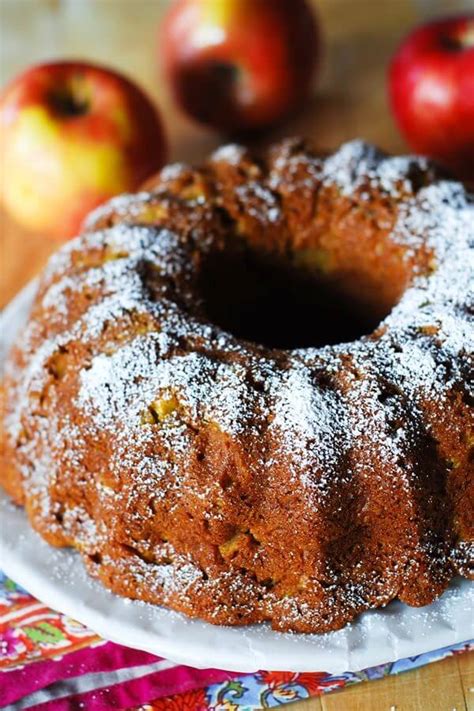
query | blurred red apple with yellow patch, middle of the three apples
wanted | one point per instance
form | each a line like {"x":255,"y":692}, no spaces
{"x":237,"y":65}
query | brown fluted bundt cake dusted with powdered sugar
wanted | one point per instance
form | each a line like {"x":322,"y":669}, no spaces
{"x":245,"y":393}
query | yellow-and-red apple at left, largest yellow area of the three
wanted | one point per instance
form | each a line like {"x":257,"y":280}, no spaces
{"x":71,"y":136}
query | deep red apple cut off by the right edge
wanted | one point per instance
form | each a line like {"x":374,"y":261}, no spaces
{"x":431,"y":85}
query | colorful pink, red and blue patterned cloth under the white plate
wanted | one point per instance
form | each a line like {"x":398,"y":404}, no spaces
{"x":50,"y":662}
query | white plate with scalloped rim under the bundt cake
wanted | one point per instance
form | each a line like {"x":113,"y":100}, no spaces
{"x":58,"y":578}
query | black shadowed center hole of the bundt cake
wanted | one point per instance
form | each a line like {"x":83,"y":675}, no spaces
{"x":281,"y":306}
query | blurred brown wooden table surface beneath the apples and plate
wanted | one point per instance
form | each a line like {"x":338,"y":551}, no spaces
{"x":360,"y":36}
